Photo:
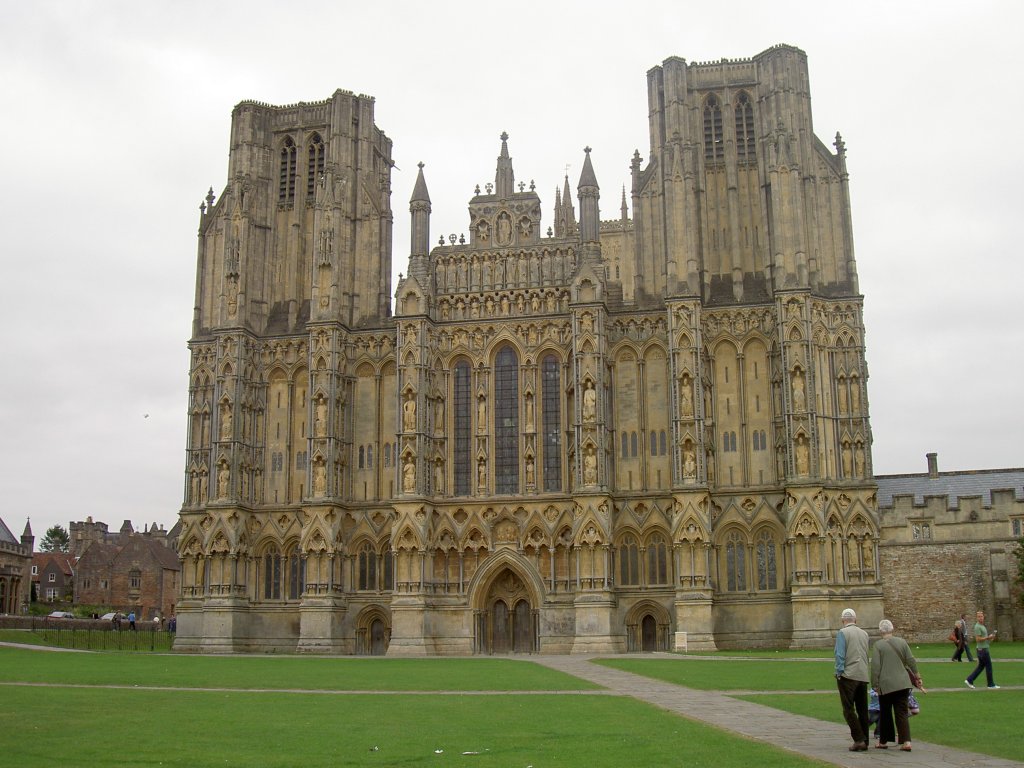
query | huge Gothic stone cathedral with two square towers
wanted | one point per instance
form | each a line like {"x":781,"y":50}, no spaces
{"x":572,"y":435}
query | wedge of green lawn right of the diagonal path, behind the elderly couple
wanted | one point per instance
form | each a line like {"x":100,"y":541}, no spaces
{"x":988,"y":722}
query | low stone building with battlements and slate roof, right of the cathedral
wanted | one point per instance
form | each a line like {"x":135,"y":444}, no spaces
{"x":949,"y":545}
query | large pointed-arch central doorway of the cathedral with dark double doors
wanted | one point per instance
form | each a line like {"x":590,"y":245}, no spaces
{"x":508,"y":623}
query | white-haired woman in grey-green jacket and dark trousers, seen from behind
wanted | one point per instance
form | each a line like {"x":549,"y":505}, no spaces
{"x":892,"y":668}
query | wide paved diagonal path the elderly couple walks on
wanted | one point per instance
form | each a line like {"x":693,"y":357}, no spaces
{"x":814,"y":739}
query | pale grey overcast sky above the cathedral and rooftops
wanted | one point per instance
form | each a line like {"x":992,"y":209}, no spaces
{"x":117,"y":118}
